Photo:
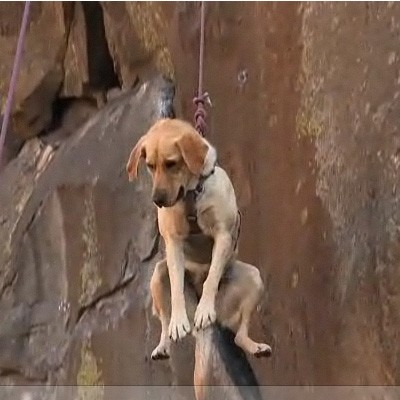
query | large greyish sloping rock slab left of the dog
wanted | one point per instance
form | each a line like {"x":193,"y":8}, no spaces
{"x":75,"y":236}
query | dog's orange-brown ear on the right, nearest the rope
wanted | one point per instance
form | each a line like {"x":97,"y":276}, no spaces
{"x":194,"y":151}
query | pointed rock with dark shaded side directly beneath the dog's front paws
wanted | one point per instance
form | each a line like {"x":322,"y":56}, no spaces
{"x":221,"y":362}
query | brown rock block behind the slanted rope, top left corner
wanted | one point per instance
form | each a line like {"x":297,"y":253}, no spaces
{"x":41,"y":73}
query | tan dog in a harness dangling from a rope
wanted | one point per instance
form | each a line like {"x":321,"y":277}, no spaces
{"x":198,"y":219}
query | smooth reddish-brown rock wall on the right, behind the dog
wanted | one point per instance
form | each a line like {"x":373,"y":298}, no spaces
{"x":310,"y":96}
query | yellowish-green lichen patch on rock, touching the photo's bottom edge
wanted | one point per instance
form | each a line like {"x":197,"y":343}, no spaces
{"x":89,"y":377}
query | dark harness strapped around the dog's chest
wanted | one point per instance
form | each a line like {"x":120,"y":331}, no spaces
{"x":191,"y":210}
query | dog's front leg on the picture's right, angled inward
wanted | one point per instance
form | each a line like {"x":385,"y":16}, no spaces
{"x":222,"y":251}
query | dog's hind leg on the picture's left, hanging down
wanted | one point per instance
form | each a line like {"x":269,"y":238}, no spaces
{"x":160,"y":292}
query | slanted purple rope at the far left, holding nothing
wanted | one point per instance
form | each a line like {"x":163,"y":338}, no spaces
{"x":14,"y":74}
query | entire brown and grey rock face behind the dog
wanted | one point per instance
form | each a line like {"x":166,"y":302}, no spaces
{"x":305,"y":100}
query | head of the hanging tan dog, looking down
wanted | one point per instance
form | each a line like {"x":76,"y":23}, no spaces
{"x":176,"y":155}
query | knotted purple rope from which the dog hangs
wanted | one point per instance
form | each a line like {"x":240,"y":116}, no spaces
{"x":200,"y":113}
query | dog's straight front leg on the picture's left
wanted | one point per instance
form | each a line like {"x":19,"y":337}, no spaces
{"x":179,"y":325}
